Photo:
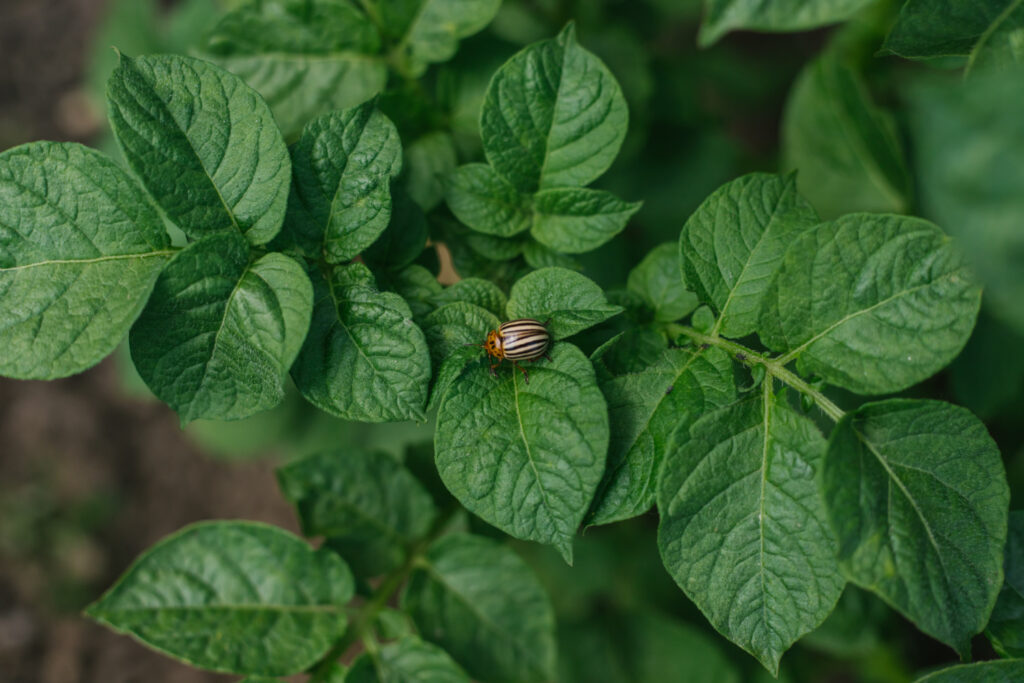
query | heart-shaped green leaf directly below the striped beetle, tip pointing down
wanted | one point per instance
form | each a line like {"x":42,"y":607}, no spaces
{"x":526,"y":458}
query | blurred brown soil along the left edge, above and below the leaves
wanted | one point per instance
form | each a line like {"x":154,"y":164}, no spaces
{"x":89,"y":478}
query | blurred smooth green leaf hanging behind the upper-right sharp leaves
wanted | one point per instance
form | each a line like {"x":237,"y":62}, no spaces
{"x":846,"y":149}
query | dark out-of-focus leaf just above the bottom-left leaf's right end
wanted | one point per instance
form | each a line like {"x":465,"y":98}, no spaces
{"x":366,"y":503}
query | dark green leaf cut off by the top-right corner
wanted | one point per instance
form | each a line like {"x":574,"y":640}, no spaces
{"x":984,"y":30}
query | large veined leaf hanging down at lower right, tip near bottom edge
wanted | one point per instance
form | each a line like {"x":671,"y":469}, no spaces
{"x":743,"y":528}
